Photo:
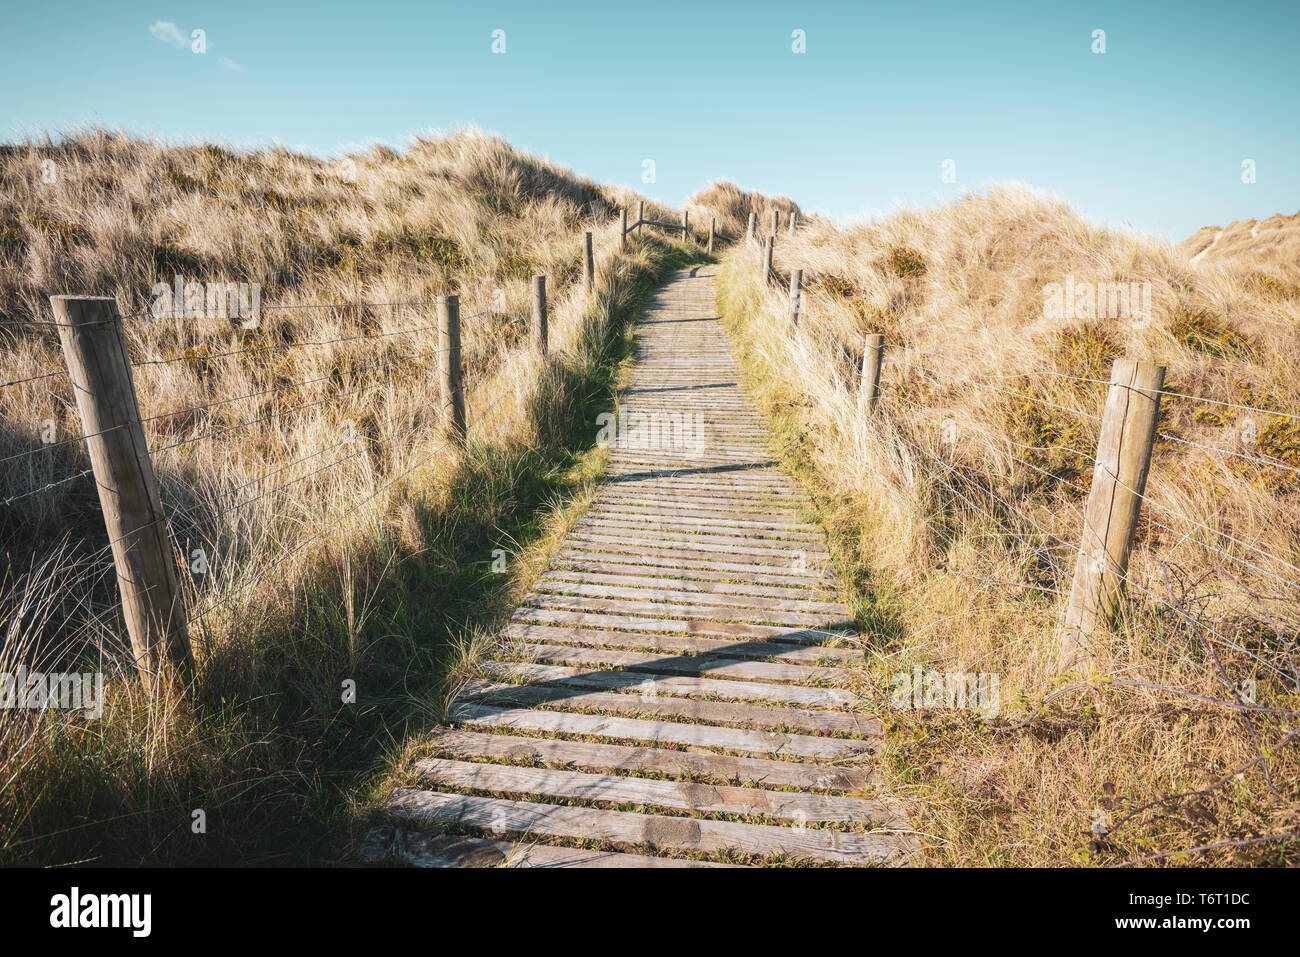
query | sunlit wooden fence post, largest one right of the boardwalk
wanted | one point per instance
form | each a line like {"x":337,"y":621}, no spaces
{"x":1115,"y":501}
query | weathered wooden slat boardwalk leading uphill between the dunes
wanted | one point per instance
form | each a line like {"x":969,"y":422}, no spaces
{"x":677,"y":683}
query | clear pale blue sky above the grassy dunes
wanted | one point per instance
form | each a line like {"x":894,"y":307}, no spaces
{"x":1151,"y":133}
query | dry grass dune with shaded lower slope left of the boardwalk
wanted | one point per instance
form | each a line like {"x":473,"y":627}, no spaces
{"x":330,"y":558}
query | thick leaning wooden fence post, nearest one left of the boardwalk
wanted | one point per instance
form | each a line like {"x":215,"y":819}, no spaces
{"x":94,"y":345}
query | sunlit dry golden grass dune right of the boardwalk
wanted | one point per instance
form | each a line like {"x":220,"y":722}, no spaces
{"x":955,"y":516}
